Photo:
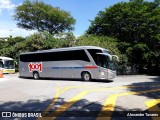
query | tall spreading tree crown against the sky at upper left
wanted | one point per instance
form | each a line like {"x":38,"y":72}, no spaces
{"x":39,"y":16}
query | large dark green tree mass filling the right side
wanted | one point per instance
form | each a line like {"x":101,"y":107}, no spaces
{"x":136,"y":25}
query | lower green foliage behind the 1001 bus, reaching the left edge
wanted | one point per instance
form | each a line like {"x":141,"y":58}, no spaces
{"x":12,"y":47}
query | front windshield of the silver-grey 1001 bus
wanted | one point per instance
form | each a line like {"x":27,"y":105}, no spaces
{"x":105,"y":62}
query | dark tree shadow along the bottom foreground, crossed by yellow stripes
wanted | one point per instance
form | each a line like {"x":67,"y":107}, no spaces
{"x":80,"y":110}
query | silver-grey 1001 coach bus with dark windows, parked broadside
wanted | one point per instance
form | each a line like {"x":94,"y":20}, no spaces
{"x":85,"y":62}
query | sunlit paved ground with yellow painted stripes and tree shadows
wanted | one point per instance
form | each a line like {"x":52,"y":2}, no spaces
{"x":127,"y":97}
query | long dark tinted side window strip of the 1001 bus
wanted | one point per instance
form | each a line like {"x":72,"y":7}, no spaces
{"x":55,"y":56}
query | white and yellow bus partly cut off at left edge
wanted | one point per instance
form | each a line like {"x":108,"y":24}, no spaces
{"x":7,"y":64}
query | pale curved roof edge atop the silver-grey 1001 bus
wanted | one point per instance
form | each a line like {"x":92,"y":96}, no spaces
{"x":68,"y":48}
